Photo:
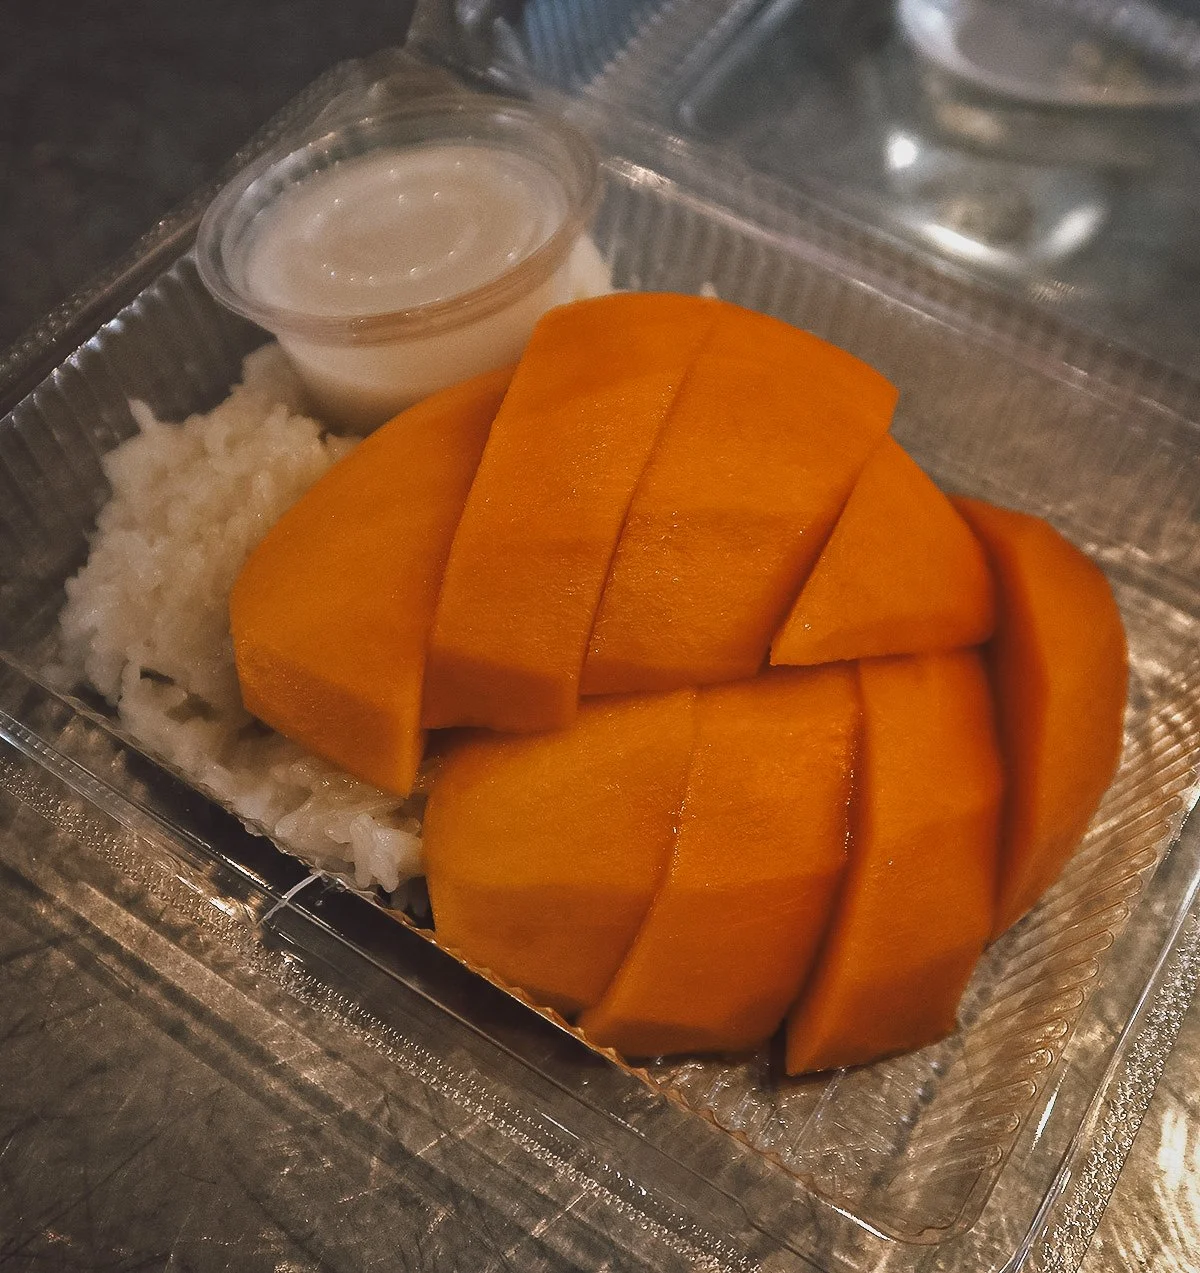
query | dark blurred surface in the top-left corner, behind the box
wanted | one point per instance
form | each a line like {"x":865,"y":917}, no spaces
{"x":111,"y":114}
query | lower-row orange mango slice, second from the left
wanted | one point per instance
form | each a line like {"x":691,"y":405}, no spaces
{"x":762,"y":847}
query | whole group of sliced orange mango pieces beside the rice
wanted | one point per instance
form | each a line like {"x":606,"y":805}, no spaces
{"x":597,"y":571}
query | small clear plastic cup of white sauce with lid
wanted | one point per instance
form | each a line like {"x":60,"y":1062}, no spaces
{"x":362,"y":353}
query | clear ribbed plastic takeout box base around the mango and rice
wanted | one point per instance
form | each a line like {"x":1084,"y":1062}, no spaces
{"x":988,"y":1151}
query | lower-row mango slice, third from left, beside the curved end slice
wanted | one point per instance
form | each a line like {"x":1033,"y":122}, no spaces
{"x":917,"y":906}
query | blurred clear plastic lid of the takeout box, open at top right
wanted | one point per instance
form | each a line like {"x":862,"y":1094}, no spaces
{"x":1082,"y":203}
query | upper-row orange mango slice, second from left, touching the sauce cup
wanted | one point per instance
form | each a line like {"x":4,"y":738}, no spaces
{"x":539,"y":531}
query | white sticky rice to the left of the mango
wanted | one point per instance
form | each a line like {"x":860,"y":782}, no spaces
{"x":147,"y":621}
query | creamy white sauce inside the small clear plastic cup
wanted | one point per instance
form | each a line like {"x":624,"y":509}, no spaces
{"x":396,"y":230}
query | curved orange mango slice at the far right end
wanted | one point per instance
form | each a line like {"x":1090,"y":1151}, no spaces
{"x":1061,"y":675}
